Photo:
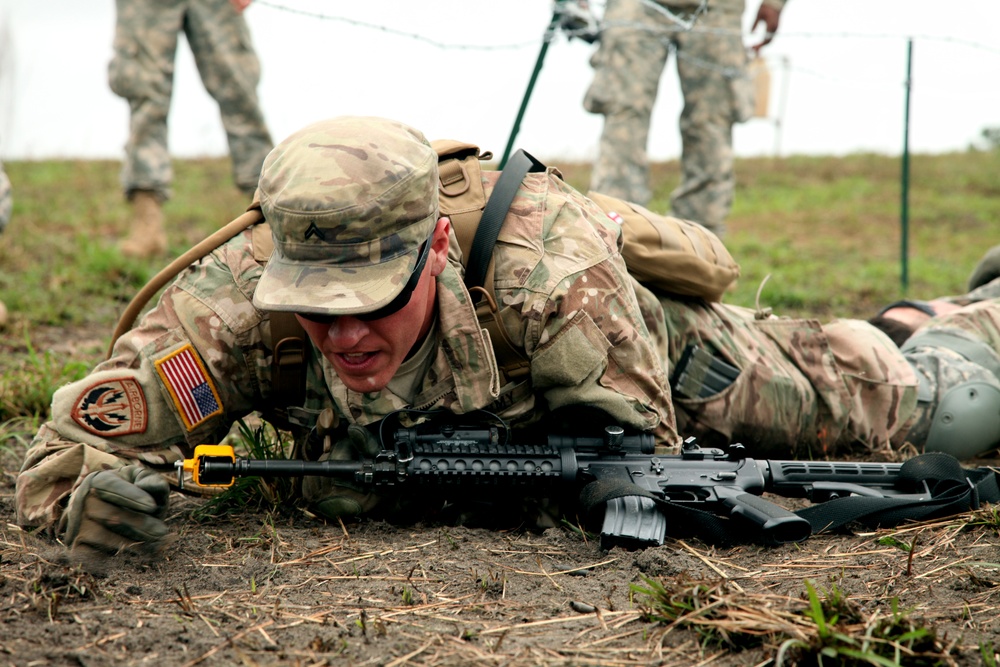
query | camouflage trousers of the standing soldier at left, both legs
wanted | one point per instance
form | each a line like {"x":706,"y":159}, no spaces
{"x":142,"y":72}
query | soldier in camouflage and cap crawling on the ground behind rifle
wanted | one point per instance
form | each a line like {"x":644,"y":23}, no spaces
{"x":357,"y":248}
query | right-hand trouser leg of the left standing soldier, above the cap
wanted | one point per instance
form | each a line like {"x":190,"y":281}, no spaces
{"x":229,"y":68}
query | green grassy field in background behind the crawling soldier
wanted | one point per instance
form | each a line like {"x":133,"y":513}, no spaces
{"x":826,"y":231}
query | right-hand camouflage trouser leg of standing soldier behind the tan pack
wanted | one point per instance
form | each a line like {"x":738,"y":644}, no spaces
{"x":711,"y":63}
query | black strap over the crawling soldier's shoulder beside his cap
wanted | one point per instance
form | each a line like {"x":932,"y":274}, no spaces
{"x":478,"y":262}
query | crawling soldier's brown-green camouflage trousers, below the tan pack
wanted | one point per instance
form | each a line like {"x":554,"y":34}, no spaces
{"x":804,"y":389}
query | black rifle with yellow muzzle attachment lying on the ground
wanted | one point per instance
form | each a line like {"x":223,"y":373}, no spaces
{"x":705,"y":492}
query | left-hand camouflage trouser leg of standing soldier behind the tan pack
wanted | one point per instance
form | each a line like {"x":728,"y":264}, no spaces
{"x":627,"y":68}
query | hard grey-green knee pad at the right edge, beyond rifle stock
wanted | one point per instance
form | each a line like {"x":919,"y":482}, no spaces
{"x":966,"y":421}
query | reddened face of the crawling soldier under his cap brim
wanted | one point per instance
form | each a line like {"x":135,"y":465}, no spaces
{"x":367,"y":354}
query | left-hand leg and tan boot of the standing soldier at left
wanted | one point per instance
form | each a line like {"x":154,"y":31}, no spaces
{"x":142,"y":72}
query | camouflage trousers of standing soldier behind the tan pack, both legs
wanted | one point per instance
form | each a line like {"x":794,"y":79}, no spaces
{"x":711,"y":63}
